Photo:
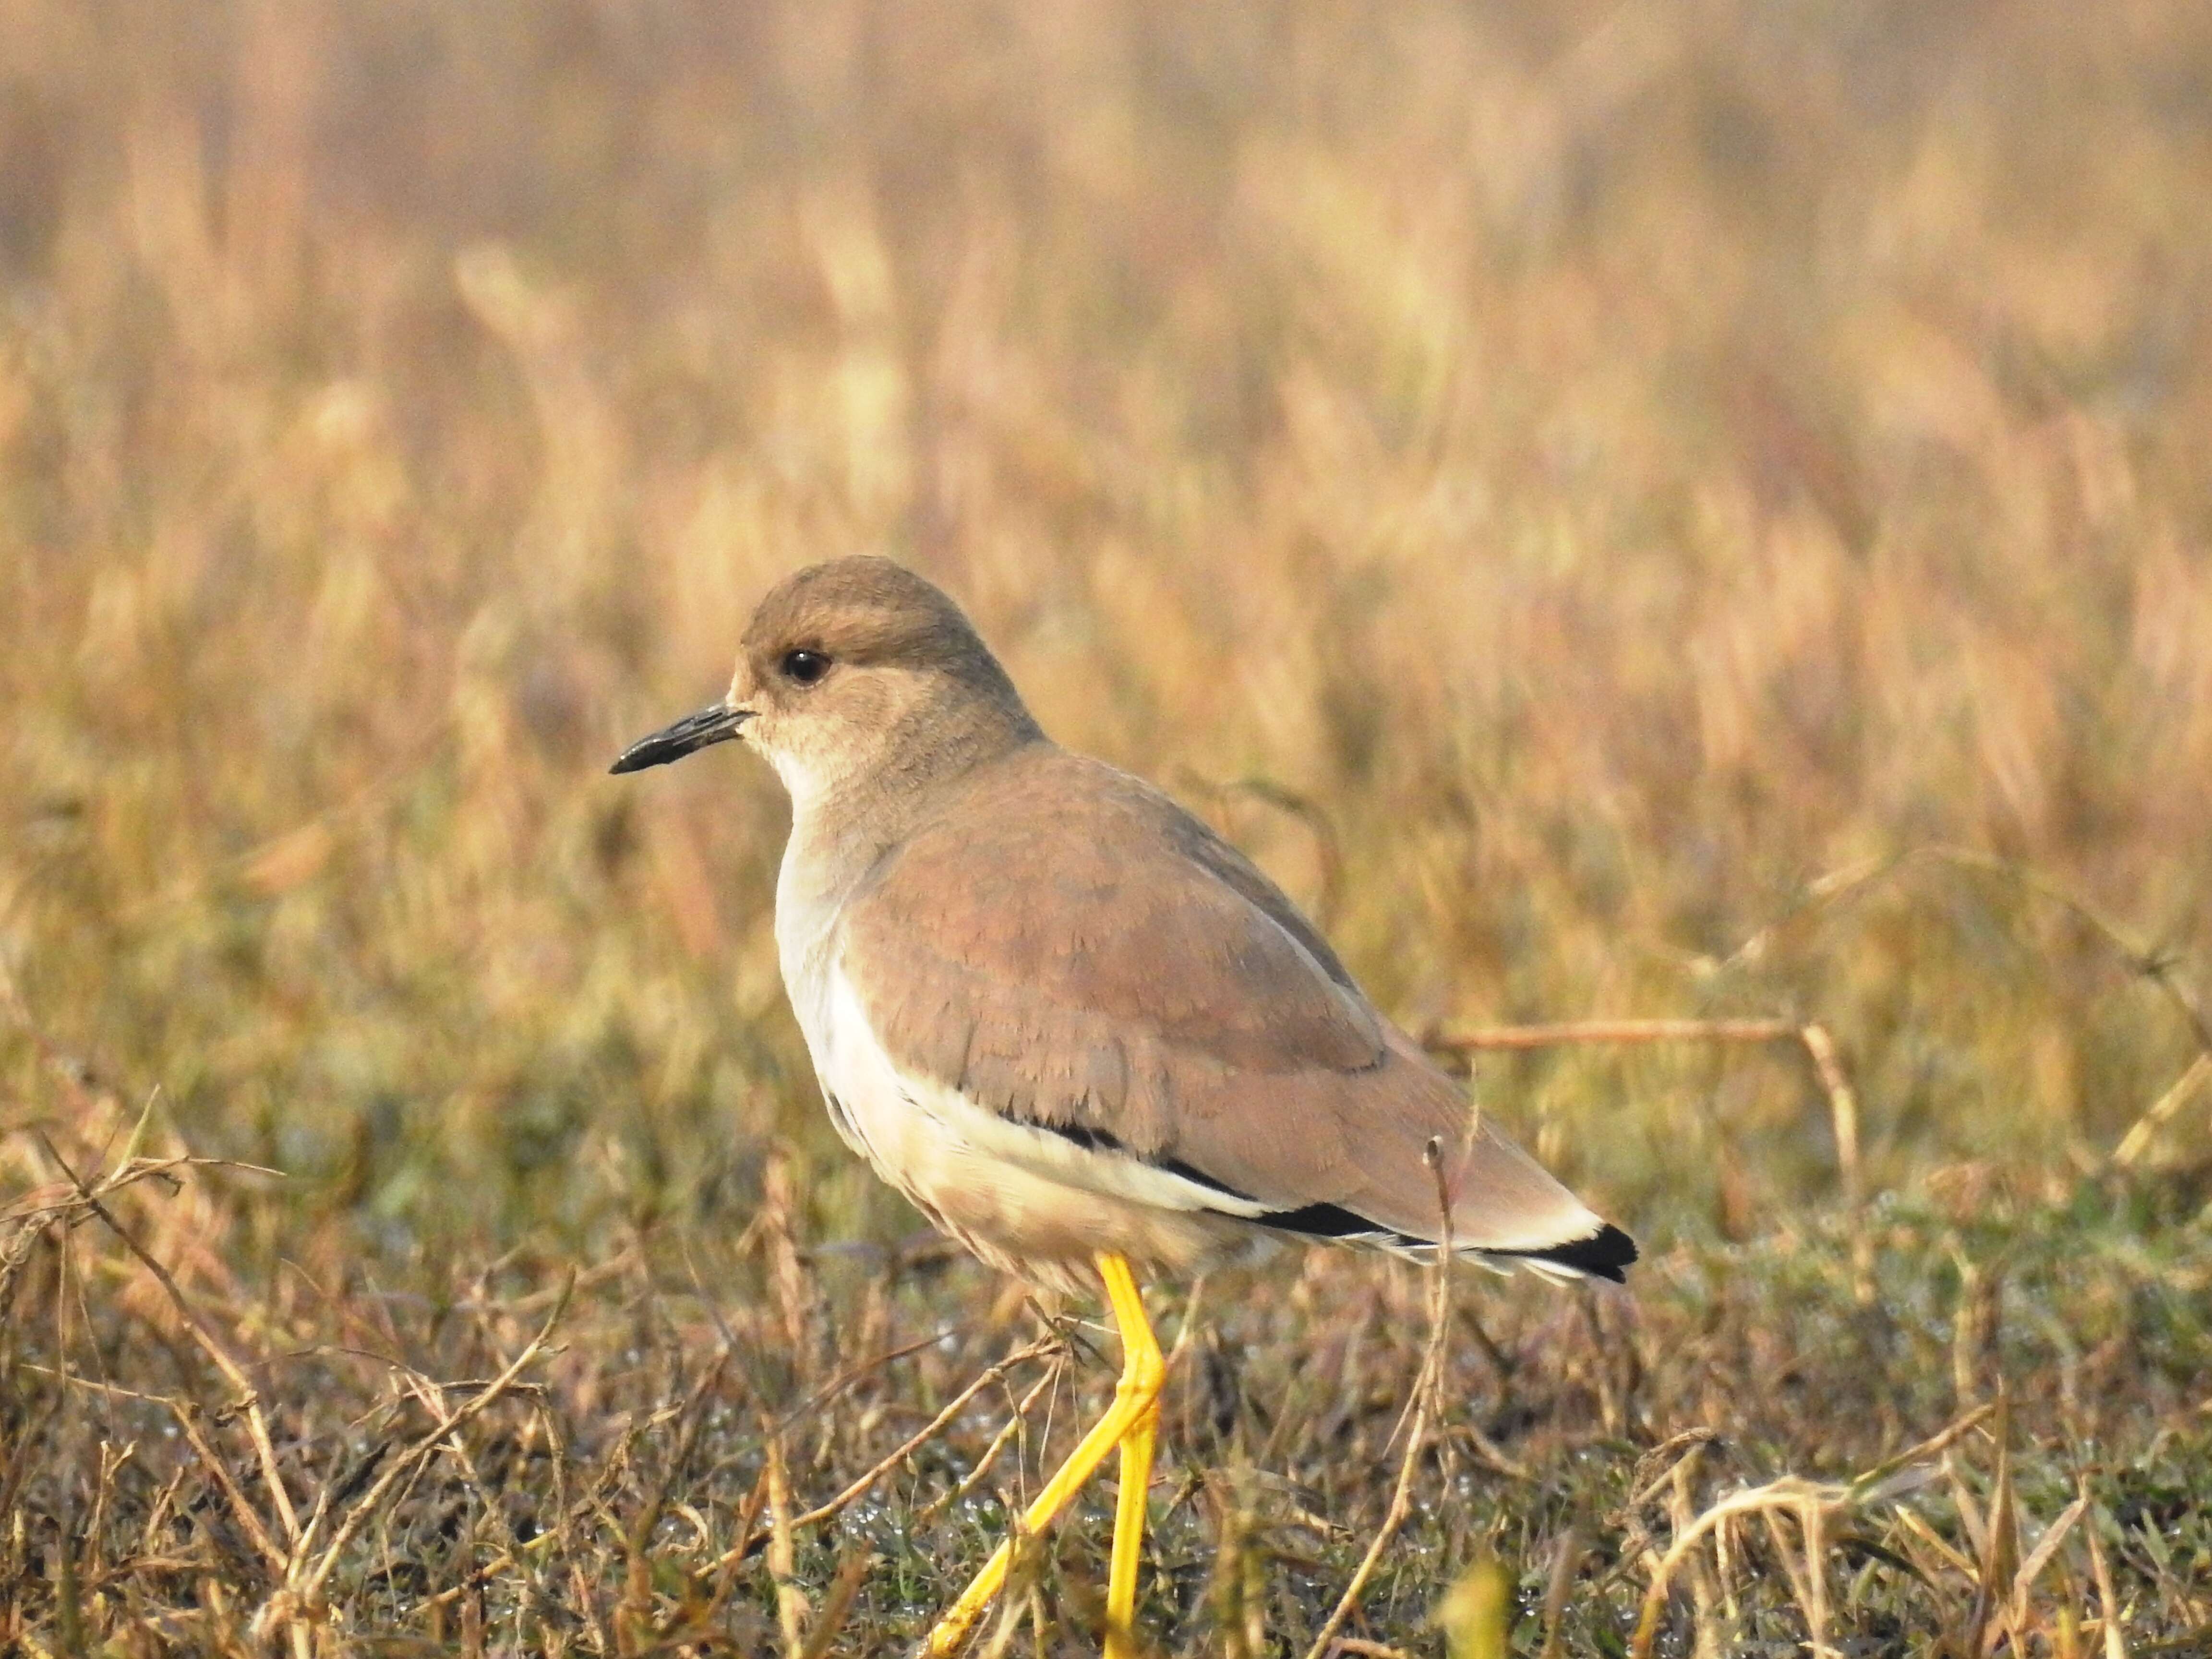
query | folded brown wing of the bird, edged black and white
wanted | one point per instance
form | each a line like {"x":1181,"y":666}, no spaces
{"x":1085,"y":957}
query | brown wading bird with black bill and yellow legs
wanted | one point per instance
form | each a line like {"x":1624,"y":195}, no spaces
{"x":1070,"y":1023}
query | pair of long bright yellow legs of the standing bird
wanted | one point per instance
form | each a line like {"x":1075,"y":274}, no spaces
{"x":1129,"y":1423}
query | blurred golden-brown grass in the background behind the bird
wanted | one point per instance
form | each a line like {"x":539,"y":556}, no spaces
{"x":1558,"y":483}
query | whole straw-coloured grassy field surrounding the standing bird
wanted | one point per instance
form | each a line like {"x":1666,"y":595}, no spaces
{"x":1631,"y":512}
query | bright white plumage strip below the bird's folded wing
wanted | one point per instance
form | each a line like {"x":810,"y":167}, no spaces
{"x":924,"y":1134}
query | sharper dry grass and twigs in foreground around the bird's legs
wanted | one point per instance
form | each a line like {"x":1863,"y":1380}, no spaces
{"x":1983,"y":1432}
